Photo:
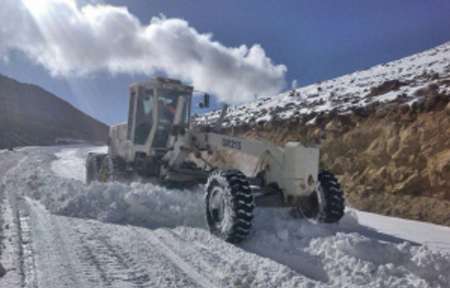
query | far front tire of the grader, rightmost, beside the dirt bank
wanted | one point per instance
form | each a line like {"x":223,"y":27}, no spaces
{"x":333,"y":197}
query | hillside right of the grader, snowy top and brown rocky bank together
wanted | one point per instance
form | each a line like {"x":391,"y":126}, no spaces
{"x":385,"y":132}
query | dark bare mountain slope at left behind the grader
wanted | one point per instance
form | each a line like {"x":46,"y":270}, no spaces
{"x":29,"y":115}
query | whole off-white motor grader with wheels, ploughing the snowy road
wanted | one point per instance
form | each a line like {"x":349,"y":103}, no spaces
{"x":159,"y":142}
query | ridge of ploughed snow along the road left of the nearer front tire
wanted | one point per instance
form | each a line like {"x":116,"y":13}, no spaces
{"x":139,"y":204}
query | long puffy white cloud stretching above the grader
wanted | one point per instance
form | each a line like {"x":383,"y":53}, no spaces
{"x":73,"y":40}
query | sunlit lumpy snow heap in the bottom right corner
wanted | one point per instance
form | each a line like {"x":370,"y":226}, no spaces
{"x":364,"y":261}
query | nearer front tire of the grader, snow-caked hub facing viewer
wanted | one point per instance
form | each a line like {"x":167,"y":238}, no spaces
{"x":229,"y":205}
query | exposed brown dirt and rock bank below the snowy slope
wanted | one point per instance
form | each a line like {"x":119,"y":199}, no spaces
{"x":392,"y":159}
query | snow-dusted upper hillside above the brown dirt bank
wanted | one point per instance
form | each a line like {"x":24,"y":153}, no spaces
{"x":402,"y":81}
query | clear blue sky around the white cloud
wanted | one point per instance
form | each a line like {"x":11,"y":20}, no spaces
{"x":316,"y":40}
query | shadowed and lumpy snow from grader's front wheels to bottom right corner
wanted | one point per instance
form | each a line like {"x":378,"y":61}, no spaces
{"x":347,"y":254}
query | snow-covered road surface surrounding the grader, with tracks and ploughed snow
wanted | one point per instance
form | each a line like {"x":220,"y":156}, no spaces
{"x":58,"y":232}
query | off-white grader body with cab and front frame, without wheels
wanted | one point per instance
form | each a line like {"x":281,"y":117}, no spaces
{"x":159,"y":124}
